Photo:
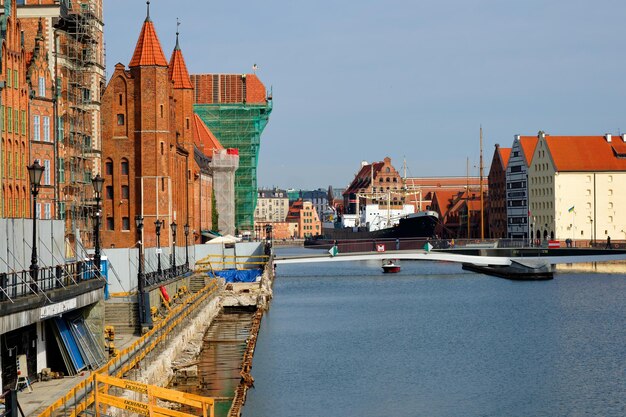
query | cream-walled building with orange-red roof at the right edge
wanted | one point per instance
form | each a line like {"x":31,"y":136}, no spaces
{"x":576,"y":187}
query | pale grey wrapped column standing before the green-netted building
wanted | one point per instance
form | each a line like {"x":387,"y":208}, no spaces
{"x":224,"y":164}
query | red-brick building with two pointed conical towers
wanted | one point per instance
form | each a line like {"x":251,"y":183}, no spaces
{"x":147,"y":144}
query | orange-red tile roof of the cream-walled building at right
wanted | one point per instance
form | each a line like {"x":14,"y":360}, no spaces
{"x":586,"y":153}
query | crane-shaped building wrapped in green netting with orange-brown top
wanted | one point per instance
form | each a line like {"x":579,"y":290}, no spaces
{"x":236,"y":108}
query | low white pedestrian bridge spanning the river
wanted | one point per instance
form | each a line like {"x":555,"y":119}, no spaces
{"x":502,"y":257}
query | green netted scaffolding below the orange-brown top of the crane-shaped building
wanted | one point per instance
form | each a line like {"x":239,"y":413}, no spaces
{"x":239,"y":125}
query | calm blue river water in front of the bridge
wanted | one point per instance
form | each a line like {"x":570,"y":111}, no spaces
{"x":433,"y":340}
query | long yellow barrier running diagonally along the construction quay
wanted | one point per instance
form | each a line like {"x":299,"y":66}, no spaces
{"x":165,"y":325}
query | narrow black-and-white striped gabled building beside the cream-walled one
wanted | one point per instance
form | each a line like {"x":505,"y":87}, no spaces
{"x":518,"y":213}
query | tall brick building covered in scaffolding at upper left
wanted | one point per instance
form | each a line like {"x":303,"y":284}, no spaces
{"x":74,"y":35}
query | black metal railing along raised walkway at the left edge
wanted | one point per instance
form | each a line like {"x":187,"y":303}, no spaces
{"x":14,"y":285}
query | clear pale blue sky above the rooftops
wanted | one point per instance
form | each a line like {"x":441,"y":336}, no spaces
{"x":413,"y":80}
